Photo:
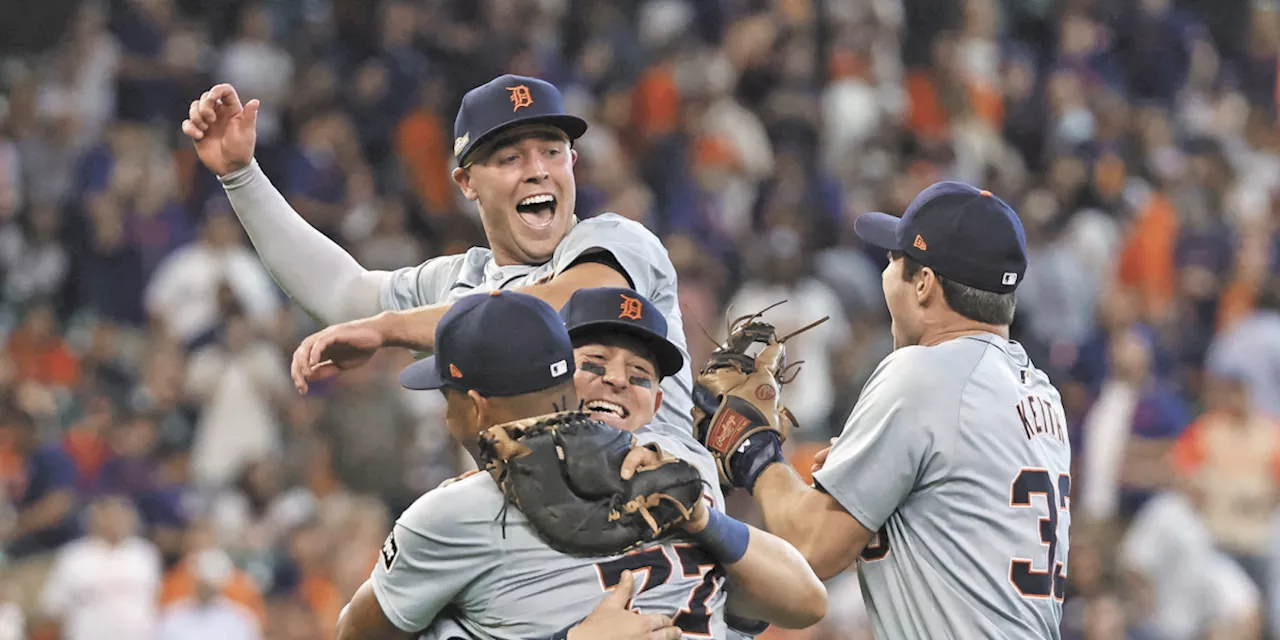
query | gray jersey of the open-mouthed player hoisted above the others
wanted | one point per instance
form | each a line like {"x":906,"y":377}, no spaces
{"x":633,"y":246}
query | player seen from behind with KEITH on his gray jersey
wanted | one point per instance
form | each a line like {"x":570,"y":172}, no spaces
{"x":952,"y":479}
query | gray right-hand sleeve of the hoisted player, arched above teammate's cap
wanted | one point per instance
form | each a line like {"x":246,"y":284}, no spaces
{"x":636,"y":248}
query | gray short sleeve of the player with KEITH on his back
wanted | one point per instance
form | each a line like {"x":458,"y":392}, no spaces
{"x":888,"y":441}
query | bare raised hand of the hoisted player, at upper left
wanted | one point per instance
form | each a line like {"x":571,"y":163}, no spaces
{"x":223,"y":130}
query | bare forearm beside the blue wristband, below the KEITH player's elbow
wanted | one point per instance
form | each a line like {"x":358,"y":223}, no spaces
{"x":779,"y":586}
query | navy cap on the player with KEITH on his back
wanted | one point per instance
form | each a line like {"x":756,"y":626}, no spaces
{"x":962,"y":232}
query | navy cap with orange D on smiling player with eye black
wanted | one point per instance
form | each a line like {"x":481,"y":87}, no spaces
{"x":618,"y":310}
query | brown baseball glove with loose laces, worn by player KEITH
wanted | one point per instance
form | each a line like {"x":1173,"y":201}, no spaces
{"x":737,"y":399}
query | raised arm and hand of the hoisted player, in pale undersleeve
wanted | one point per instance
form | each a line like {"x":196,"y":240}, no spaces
{"x":313,"y":269}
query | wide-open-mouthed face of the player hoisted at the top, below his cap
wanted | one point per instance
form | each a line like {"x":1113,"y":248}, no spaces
{"x":527,"y":194}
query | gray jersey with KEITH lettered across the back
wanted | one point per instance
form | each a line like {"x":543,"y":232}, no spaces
{"x":958,"y":456}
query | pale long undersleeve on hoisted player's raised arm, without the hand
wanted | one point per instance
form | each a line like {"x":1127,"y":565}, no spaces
{"x":313,"y":269}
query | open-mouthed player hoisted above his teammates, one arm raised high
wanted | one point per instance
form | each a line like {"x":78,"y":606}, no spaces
{"x":514,"y":147}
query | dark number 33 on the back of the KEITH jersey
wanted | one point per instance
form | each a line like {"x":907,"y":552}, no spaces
{"x":1052,"y":582}
